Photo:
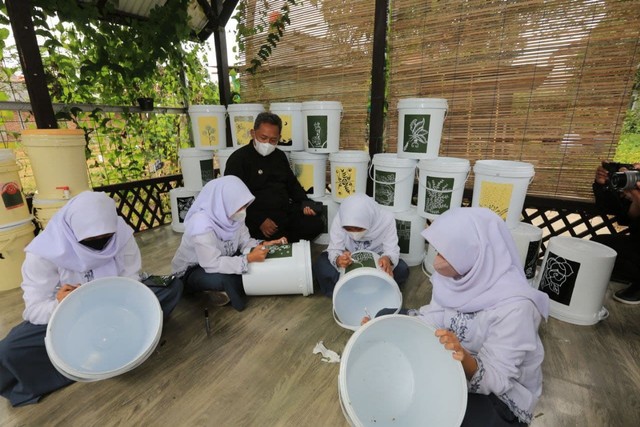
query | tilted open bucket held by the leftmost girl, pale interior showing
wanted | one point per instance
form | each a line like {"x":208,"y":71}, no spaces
{"x":104,"y":328}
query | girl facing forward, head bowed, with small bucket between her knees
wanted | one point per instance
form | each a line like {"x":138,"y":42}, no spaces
{"x":360,"y":224}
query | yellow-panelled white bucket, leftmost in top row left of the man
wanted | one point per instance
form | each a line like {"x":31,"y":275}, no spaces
{"x":208,"y":125}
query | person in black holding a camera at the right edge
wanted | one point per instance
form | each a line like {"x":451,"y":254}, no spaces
{"x":614,"y":199}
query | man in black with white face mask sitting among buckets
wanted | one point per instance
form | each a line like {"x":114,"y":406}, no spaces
{"x":277,"y":210}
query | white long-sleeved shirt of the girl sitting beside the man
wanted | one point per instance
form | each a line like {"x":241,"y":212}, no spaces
{"x":213,"y":254}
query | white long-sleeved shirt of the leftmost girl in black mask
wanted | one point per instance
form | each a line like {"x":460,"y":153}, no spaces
{"x":41,"y":280}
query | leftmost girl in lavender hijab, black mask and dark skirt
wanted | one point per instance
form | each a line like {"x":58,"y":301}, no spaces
{"x":85,"y":240}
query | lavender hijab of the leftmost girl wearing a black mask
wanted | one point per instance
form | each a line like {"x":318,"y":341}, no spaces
{"x":88,"y":214}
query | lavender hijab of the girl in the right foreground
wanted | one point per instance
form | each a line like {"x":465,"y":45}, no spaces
{"x":478,"y":245}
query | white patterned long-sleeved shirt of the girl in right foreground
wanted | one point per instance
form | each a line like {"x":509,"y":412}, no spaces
{"x":505,"y":342}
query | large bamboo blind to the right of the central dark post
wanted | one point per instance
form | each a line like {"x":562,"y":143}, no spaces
{"x":546,"y":82}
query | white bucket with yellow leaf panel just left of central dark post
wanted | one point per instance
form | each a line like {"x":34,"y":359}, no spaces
{"x":348,"y":173}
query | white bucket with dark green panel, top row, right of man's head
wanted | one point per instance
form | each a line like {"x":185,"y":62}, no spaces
{"x":321,"y":126}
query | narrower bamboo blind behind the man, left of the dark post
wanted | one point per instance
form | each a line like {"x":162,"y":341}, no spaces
{"x":324,"y":55}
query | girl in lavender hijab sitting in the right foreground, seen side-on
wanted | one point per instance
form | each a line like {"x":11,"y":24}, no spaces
{"x":487,"y":314}
